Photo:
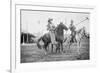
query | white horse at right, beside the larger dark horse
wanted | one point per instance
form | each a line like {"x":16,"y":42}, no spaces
{"x":79,"y":35}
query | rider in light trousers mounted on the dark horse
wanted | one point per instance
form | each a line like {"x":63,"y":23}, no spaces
{"x":51,"y":28}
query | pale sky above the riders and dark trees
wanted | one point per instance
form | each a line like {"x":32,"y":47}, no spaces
{"x":35,"y":21}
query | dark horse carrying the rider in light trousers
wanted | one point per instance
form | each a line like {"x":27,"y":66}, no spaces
{"x":59,"y":36}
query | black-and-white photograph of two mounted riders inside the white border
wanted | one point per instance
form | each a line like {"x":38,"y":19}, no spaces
{"x":48,"y":36}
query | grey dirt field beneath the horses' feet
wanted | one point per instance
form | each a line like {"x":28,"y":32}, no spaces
{"x":31,"y":53}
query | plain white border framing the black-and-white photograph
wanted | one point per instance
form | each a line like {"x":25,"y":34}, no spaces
{"x":15,"y":48}
